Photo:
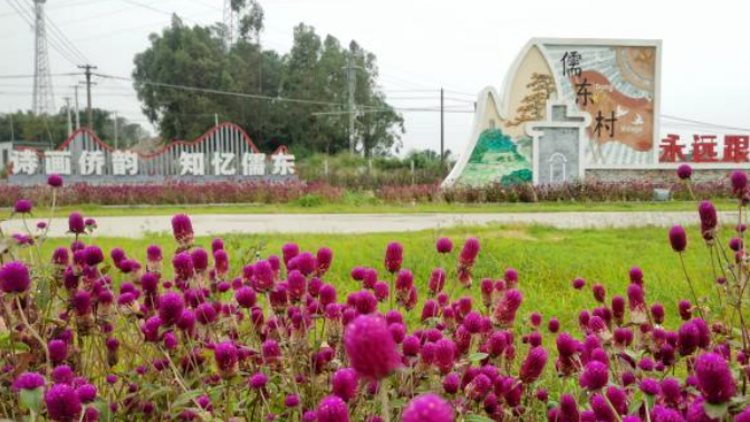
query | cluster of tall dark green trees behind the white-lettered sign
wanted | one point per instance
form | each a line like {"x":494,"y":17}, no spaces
{"x":298,"y":99}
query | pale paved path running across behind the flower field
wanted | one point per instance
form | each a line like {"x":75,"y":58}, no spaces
{"x":208,"y":224}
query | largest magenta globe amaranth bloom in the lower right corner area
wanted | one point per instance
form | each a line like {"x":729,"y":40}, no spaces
{"x":715,"y":380}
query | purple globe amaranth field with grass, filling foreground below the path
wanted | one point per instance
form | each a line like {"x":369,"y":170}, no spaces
{"x":466,"y":324}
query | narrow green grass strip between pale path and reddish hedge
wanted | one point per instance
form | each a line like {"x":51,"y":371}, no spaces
{"x":367,"y":208}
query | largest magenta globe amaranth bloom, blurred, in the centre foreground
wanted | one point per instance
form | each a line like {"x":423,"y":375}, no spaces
{"x":370,"y":347}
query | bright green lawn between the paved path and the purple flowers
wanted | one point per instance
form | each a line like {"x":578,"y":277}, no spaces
{"x":547,"y":260}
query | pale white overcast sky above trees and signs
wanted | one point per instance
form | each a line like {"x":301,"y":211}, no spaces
{"x":421,"y":45}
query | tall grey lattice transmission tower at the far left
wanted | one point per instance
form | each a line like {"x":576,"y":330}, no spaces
{"x":44,"y":100}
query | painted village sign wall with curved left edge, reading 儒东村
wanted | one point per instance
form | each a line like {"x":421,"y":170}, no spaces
{"x":614,"y":84}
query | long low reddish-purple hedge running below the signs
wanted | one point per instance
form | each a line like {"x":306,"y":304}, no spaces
{"x":316,"y":193}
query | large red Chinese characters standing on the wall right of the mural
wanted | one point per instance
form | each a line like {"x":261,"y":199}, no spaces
{"x":705,"y":149}
